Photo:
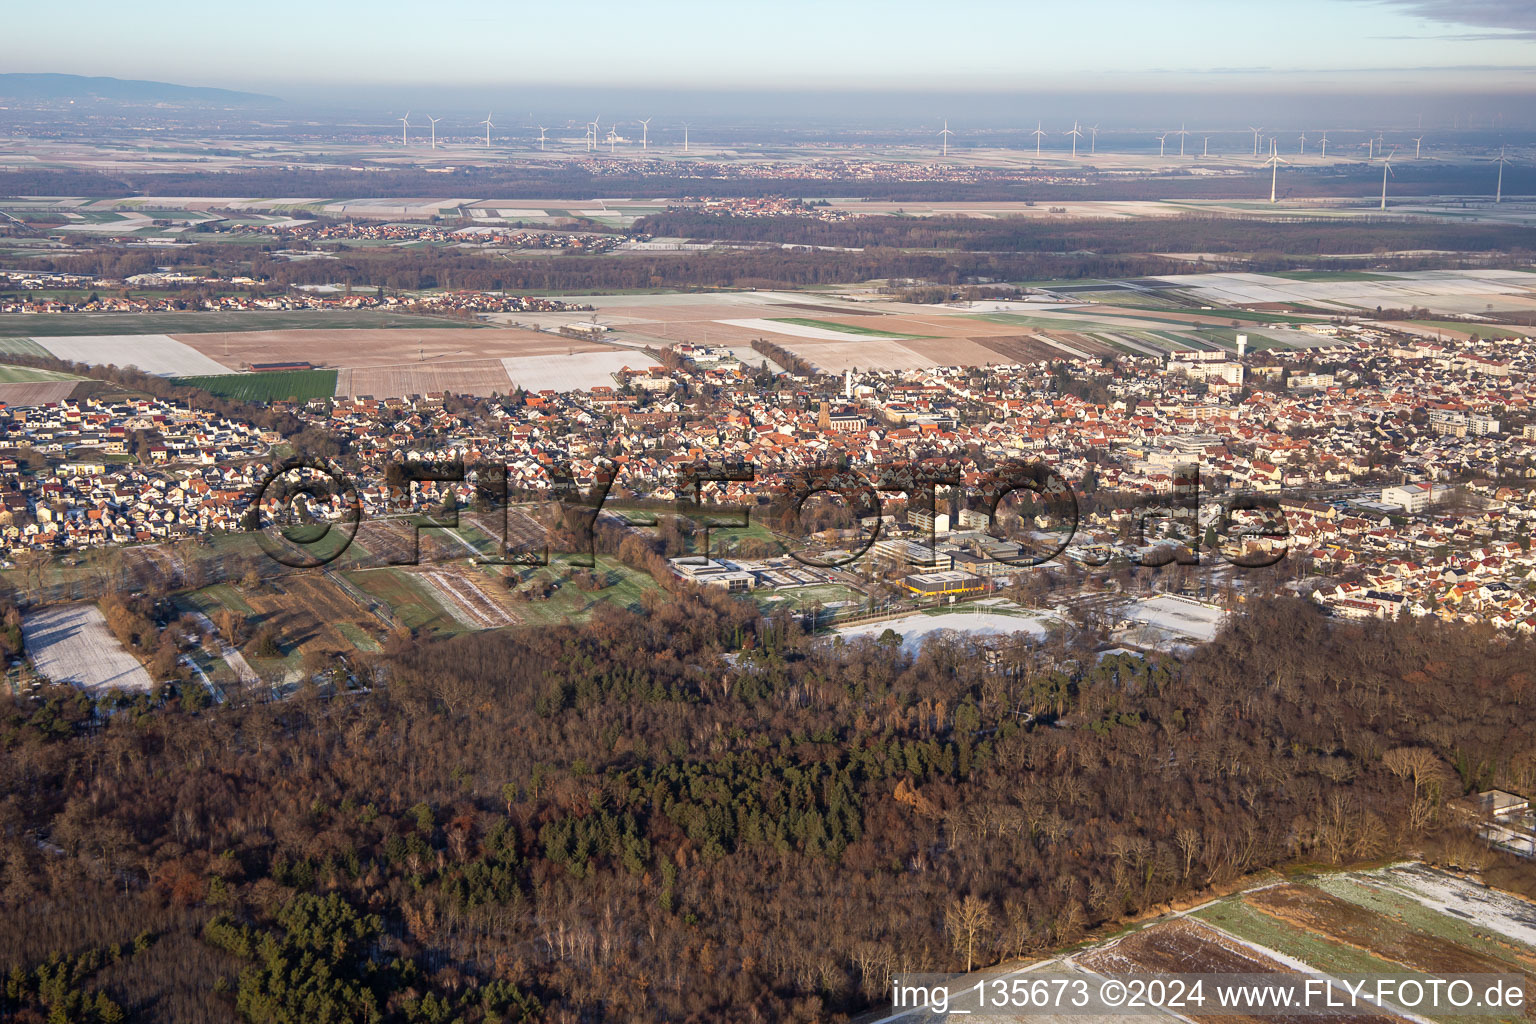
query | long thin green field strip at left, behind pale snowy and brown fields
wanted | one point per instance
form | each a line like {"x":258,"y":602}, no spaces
{"x":202,"y":323}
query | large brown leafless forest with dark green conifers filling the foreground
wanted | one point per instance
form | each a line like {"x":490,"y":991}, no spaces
{"x":690,"y":813}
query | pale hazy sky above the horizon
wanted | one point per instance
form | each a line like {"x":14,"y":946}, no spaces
{"x":372,"y":51}
